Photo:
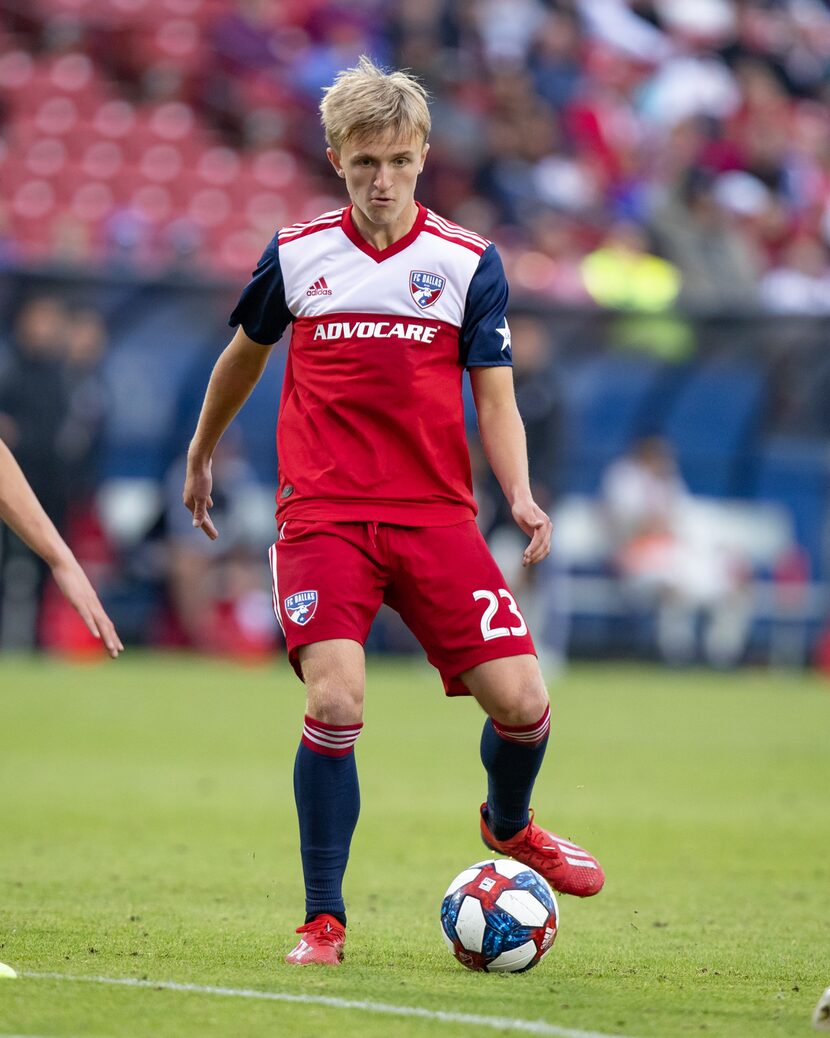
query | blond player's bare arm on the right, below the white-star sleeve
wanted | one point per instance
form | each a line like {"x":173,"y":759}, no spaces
{"x":506,"y":448}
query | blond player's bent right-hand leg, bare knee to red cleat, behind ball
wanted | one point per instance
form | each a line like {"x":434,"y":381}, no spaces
{"x":513,"y":747}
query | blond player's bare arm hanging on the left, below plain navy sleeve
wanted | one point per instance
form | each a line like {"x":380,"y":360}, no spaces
{"x":239,"y":369}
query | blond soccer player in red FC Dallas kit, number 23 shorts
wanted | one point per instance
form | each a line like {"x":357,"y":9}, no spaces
{"x":390,"y":304}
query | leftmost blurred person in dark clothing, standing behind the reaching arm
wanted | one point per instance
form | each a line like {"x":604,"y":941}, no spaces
{"x":34,"y":411}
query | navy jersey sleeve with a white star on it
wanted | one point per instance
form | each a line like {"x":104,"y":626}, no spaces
{"x":485,"y":337}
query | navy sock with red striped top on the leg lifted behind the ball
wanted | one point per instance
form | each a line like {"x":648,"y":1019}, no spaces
{"x":512,"y":756}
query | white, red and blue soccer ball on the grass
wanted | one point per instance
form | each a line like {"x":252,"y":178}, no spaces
{"x":500,"y":916}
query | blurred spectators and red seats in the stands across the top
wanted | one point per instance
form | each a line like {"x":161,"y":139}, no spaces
{"x":632,"y":154}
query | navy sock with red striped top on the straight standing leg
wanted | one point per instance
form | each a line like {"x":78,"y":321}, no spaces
{"x":328,"y":804}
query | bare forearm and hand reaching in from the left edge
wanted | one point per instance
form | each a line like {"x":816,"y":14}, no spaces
{"x":21,"y":510}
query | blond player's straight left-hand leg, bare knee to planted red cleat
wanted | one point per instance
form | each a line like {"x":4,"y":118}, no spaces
{"x":327,"y":793}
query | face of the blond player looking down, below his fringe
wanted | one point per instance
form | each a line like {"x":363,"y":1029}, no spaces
{"x":381,"y":174}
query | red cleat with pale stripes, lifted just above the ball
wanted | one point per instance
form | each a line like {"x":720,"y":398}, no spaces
{"x":568,"y":868}
